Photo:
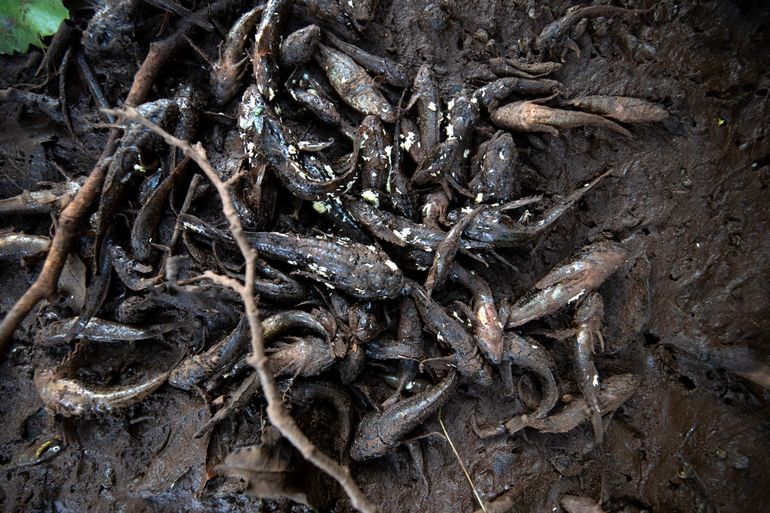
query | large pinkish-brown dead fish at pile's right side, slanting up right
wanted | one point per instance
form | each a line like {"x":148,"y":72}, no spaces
{"x":568,"y":282}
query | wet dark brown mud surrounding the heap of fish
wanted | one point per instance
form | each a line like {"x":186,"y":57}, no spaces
{"x":693,"y":323}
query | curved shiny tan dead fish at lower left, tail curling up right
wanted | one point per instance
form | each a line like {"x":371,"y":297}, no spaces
{"x":70,"y":397}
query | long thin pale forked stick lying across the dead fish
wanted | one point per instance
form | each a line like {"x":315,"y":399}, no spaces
{"x":276,"y":411}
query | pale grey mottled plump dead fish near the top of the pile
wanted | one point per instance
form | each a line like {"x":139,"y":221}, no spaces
{"x":354,"y":85}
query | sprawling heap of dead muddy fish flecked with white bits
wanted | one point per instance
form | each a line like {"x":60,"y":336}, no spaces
{"x":369,"y":200}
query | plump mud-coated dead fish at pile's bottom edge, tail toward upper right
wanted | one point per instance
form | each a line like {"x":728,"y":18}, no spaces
{"x":380,"y":432}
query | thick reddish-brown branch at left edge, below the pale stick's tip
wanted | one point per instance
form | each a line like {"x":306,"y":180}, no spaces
{"x":69,"y":220}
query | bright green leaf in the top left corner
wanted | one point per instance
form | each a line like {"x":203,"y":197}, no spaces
{"x":24,"y":22}
